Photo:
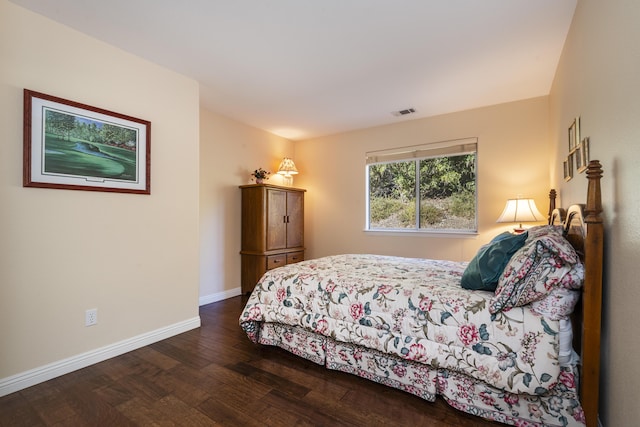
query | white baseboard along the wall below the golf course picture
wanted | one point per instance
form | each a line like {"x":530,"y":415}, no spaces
{"x":44,"y":373}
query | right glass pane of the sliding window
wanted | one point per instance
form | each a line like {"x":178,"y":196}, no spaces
{"x":448,"y":193}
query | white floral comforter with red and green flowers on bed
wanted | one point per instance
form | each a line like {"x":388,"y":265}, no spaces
{"x":414,"y":309}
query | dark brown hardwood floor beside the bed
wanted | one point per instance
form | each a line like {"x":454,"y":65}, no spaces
{"x":215,"y":375}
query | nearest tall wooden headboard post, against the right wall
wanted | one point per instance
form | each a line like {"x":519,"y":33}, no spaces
{"x":592,"y":296}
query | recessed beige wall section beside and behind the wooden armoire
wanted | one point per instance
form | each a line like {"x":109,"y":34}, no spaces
{"x":229,"y":152}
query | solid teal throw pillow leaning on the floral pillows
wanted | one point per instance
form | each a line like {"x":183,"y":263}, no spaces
{"x":487,"y":266}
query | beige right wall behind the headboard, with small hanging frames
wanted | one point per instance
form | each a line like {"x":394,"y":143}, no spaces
{"x":597,"y":79}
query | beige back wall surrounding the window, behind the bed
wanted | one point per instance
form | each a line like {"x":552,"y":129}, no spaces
{"x":513,"y":159}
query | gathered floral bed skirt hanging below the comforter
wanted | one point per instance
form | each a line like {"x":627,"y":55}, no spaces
{"x":557,"y":407}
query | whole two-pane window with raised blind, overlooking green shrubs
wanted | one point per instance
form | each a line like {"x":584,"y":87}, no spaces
{"x":429,"y":187}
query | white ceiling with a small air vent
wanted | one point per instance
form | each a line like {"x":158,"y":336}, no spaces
{"x":307,"y":68}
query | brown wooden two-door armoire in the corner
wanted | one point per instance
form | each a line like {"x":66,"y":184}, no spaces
{"x":272,"y":230}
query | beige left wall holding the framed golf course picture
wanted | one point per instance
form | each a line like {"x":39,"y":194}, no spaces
{"x":133,"y":257}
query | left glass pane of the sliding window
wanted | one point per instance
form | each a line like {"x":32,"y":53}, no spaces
{"x":392,"y":195}
